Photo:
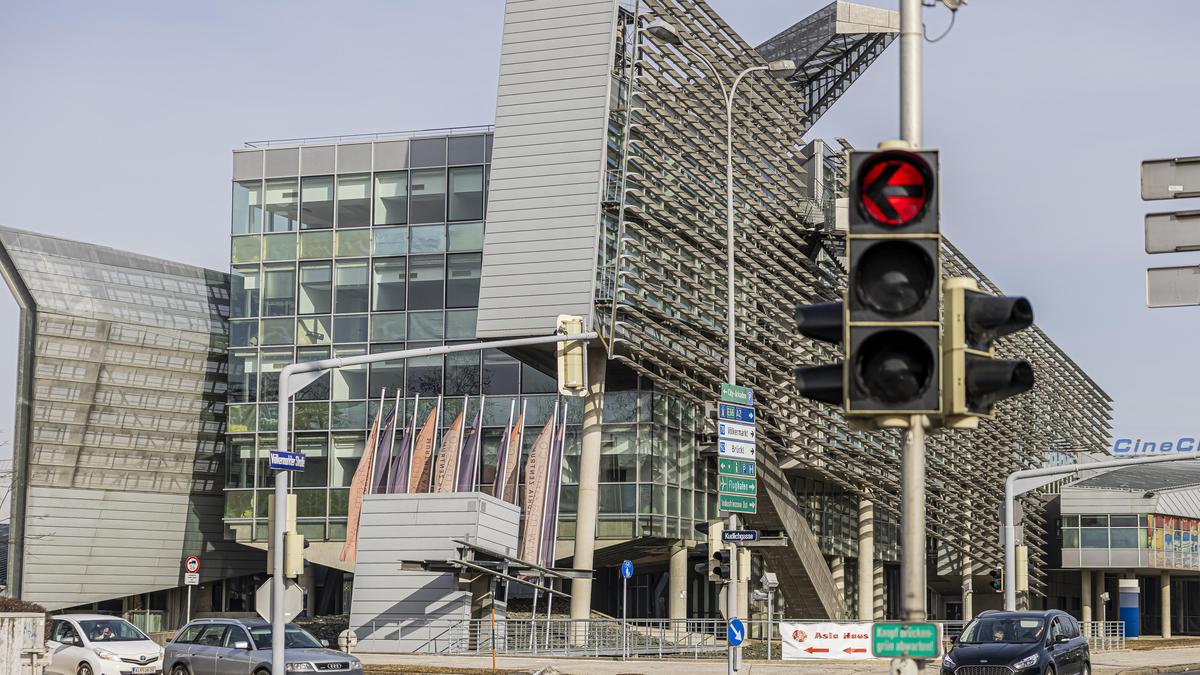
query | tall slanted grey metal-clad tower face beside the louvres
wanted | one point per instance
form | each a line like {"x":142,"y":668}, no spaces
{"x":551,"y":111}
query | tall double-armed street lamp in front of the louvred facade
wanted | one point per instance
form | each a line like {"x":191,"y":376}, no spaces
{"x":665,"y":32}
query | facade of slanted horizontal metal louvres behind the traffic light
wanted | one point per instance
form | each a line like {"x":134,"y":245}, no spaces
{"x":661,"y":295}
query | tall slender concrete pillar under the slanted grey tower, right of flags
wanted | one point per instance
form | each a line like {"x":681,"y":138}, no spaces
{"x":590,"y":480}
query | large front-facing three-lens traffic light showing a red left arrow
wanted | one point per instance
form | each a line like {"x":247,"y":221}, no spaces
{"x":893,"y":319}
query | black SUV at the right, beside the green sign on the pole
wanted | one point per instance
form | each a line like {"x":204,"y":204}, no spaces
{"x":1019,"y":643}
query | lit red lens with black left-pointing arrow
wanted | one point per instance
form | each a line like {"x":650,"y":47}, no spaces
{"x":896,"y":189}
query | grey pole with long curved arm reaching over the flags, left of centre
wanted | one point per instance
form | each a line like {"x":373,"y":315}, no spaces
{"x":309,"y":373}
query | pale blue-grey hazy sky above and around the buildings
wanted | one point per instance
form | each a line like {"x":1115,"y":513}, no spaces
{"x":118,"y":120}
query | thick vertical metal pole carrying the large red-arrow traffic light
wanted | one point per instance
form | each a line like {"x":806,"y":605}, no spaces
{"x":913,"y":491}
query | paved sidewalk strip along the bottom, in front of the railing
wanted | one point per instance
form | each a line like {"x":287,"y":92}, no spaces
{"x":1108,"y":664}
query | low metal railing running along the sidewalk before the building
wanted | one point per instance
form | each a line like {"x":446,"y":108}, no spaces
{"x":639,"y":638}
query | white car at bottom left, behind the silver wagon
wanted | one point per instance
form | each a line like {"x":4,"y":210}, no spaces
{"x":94,"y":644}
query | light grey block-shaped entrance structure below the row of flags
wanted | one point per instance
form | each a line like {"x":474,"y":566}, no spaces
{"x":394,"y":611}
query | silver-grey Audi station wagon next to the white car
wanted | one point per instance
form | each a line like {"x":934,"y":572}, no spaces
{"x":241,"y":647}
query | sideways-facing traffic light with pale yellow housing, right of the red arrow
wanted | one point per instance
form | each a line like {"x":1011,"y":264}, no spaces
{"x":975,"y":378}
